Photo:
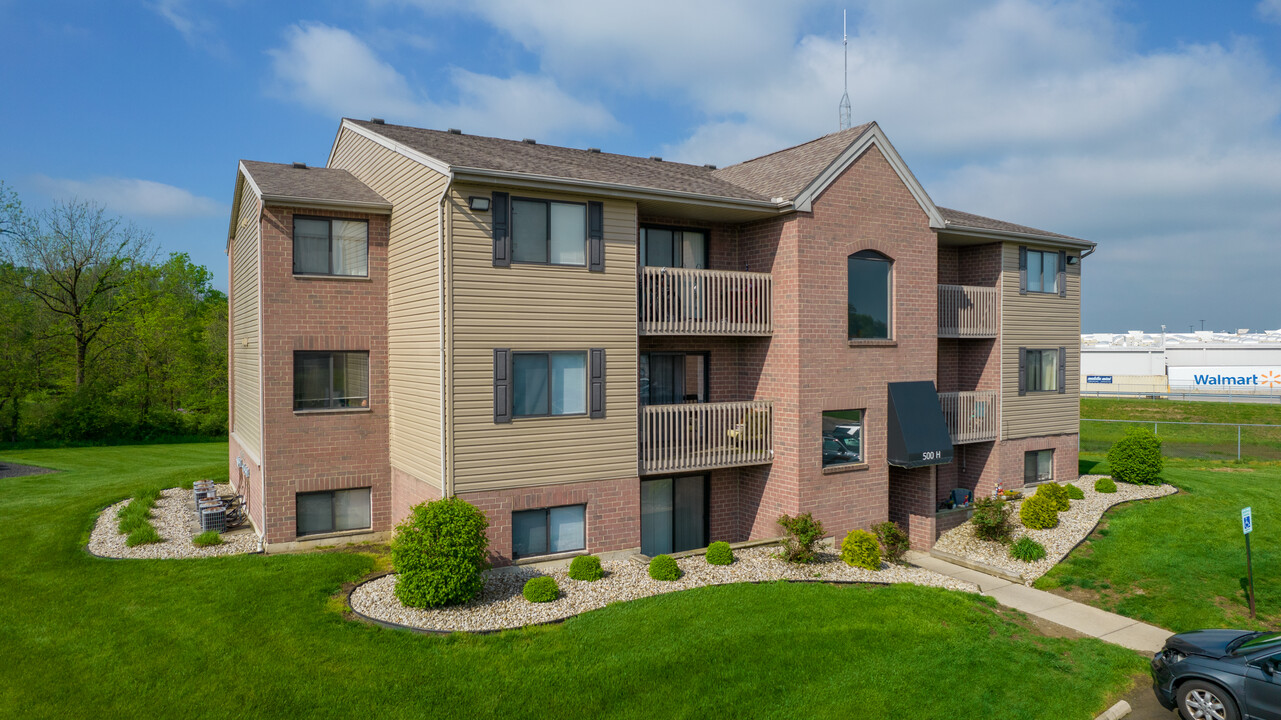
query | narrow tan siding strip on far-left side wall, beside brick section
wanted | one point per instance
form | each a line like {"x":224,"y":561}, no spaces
{"x":247,"y":335}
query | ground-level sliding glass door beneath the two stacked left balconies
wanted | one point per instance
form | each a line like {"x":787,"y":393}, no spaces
{"x":673,"y":514}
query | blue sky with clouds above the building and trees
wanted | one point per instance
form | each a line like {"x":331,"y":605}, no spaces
{"x":1154,"y":129}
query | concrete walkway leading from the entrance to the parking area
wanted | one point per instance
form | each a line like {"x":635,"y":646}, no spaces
{"x":1056,"y":609}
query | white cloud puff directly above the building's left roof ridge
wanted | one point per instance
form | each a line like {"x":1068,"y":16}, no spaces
{"x":331,"y":71}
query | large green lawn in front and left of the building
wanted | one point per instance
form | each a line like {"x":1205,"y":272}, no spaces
{"x":259,"y":636}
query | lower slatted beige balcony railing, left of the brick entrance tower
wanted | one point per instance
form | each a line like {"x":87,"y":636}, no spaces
{"x":705,"y":436}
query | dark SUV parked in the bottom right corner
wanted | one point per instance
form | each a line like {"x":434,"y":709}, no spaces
{"x":1220,"y":676}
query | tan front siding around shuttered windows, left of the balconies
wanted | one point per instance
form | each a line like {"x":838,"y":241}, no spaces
{"x":541,"y":308}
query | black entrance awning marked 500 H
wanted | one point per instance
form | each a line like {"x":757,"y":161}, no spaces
{"x":918,"y":434}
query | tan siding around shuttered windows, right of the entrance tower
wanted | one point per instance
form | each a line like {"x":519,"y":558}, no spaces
{"x":1040,"y":322}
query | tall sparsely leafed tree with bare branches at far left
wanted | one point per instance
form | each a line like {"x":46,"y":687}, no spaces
{"x":79,"y":259}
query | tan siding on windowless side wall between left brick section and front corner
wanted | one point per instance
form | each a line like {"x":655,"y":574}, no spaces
{"x":413,"y":299}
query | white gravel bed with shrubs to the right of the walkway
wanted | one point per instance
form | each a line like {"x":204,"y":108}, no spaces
{"x":1074,"y":526}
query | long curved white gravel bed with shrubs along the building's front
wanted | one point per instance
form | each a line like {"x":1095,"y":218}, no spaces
{"x":502,"y":605}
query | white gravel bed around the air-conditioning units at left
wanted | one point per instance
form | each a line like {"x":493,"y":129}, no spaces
{"x":174,"y":520}
